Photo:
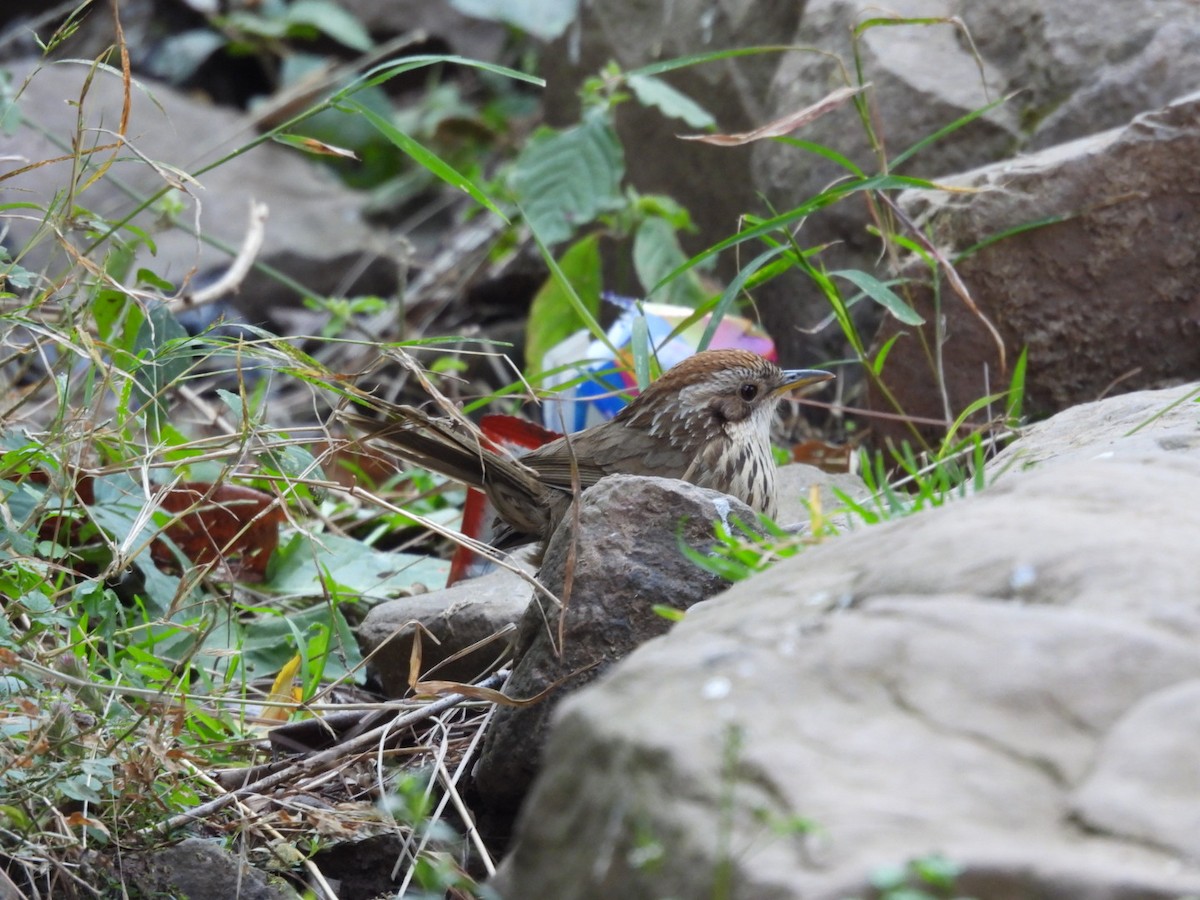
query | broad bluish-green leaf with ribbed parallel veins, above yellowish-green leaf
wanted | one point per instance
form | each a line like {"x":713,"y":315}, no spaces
{"x":565,"y":179}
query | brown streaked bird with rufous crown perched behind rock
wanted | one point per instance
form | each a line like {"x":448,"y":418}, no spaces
{"x":707,"y":421}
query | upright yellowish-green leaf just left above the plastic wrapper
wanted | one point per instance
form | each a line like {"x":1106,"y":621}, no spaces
{"x":553,"y":316}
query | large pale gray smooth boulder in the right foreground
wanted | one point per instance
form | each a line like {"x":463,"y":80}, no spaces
{"x":1007,"y":681}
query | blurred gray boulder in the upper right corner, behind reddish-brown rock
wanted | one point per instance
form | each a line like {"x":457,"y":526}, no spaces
{"x":1079,"y":69}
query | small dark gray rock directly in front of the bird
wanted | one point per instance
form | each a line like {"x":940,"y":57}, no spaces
{"x":623,"y":561}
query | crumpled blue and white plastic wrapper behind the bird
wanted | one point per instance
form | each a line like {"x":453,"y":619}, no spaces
{"x":601,"y":398}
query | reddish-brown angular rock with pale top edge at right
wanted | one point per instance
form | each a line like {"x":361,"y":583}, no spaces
{"x":1077,"y":293}
